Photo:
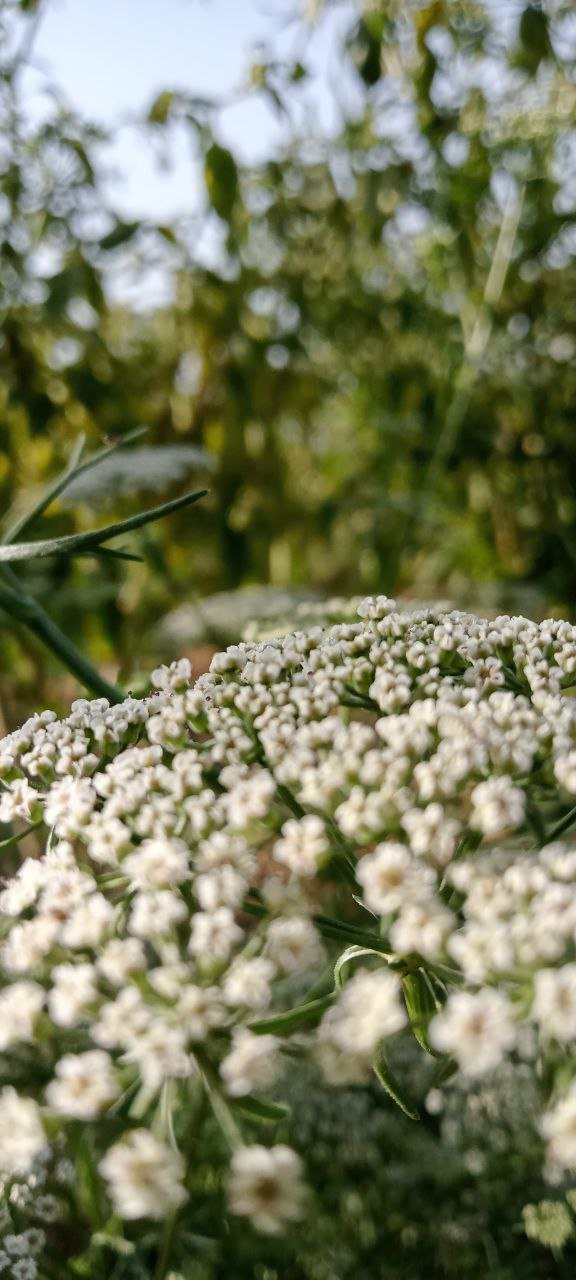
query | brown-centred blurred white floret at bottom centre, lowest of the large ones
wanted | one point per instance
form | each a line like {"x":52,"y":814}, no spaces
{"x":267,"y":1187}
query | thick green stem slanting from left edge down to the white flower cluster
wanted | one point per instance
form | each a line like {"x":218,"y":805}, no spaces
{"x":26,"y":610}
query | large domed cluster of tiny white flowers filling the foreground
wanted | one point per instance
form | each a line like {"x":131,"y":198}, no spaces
{"x":336,"y":840}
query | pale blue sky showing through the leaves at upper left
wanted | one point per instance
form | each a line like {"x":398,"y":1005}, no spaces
{"x":112,"y":57}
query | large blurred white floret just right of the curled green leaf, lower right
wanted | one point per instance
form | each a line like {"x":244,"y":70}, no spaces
{"x":477,"y":1030}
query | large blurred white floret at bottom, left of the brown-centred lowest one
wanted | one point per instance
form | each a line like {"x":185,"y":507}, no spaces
{"x":144,"y":1177}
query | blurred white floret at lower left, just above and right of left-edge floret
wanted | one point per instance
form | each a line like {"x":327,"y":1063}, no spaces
{"x":85,"y":1085}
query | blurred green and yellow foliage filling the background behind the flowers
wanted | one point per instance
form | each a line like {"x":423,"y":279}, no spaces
{"x":381,"y":359}
